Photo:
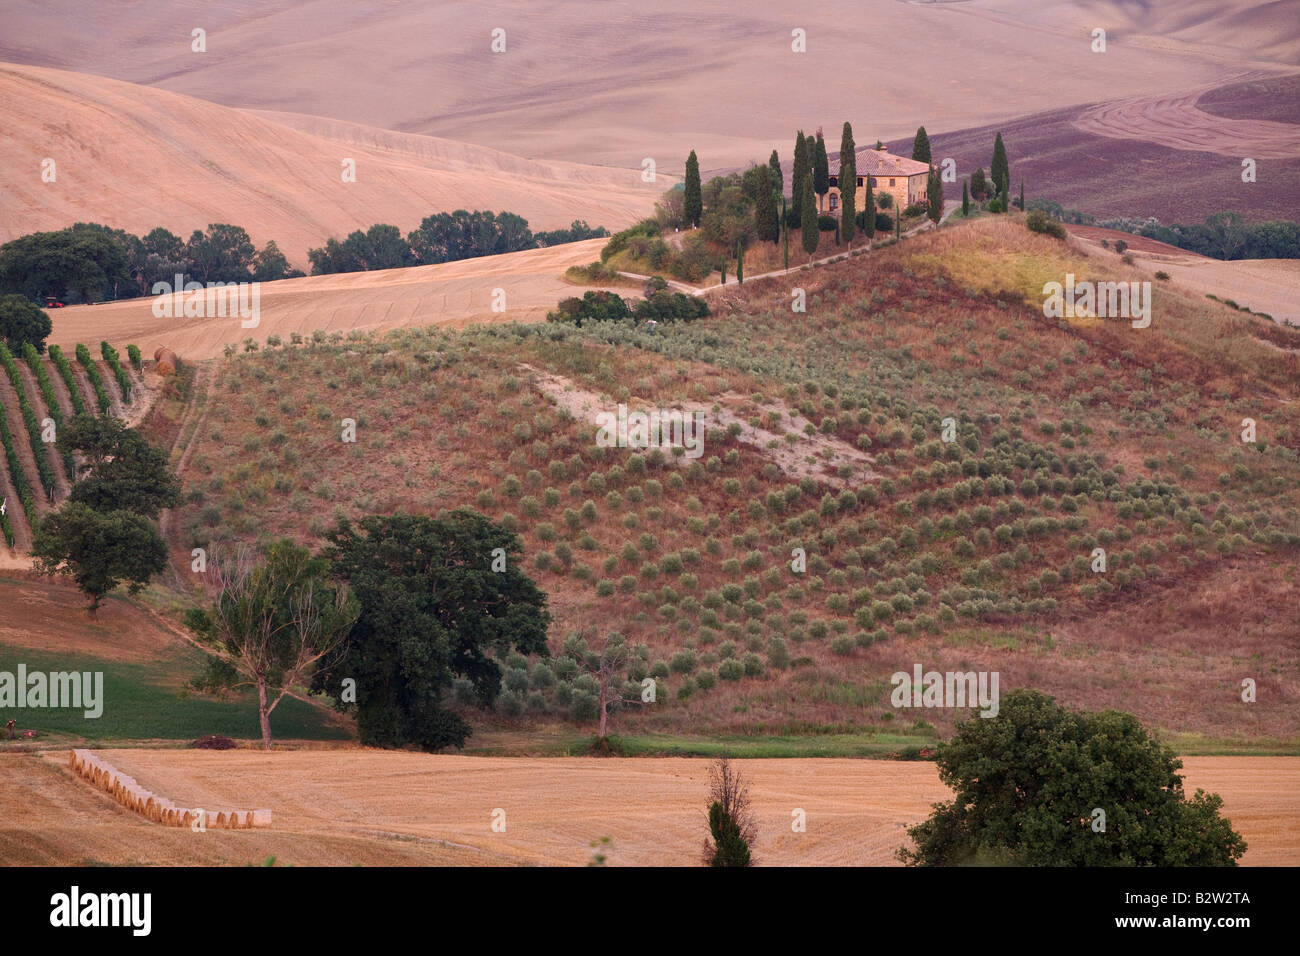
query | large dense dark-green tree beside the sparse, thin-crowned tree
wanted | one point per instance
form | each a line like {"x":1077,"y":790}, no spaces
{"x":434,"y":609}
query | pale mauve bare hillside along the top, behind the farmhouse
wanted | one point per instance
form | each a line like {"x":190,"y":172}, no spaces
{"x":658,"y":81}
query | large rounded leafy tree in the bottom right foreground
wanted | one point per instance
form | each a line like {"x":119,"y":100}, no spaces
{"x":1029,"y":781}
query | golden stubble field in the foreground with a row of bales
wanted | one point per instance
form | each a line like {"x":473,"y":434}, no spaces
{"x":375,"y":808}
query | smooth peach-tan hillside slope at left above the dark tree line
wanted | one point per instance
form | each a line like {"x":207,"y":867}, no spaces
{"x":137,"y":158}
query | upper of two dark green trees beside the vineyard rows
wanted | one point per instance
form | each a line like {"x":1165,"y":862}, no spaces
{"x":120,"y":469}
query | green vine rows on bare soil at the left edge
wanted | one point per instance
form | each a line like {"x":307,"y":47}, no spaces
{"x":37,"y":390}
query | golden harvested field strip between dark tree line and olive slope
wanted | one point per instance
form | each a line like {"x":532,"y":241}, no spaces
{"x":452,"y":295}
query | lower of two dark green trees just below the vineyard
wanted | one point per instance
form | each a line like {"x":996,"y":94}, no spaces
{"x":99,"y":551}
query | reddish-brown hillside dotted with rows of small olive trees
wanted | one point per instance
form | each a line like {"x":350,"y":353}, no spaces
{"x":825,"y":434}
